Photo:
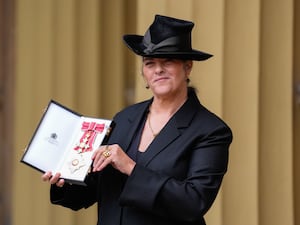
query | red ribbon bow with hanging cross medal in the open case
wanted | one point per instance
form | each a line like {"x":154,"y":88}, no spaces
{"x":91,"y":129}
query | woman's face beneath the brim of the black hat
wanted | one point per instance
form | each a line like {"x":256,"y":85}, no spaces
{"x":166,"y":76}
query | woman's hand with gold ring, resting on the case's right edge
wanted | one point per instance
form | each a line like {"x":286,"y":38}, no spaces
{"x":114,"y":155}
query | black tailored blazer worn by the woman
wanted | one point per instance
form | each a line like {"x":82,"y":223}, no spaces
{"x":174,"y":182}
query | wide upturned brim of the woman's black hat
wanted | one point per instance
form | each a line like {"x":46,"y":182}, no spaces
{"x":135,"y":43}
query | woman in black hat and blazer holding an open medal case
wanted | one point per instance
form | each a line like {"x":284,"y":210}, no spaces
{"x":166,"y":157}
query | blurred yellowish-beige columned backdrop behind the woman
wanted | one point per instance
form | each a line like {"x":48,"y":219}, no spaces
{"x":72,"y":51}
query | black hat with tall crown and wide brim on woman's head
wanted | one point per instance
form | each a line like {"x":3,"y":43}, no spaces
{"x":166,"y":37}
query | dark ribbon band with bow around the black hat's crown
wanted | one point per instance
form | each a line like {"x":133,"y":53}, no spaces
{"x":172,"y":44}
